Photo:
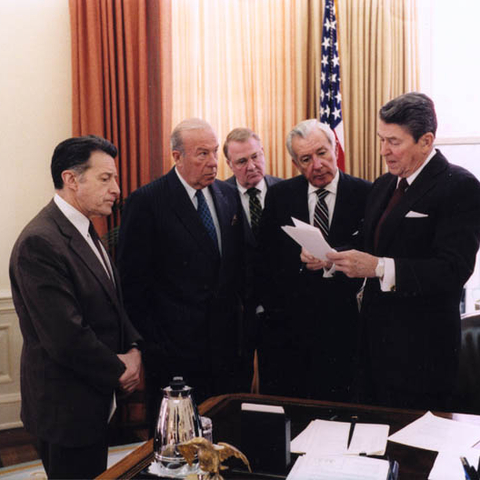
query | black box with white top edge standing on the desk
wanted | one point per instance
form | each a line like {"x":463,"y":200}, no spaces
{"x":265,"y":437}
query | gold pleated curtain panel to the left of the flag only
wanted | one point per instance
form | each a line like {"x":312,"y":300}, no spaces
{"x":240,"y":63}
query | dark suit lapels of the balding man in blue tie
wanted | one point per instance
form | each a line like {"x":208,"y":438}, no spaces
{"x":188,"y":215}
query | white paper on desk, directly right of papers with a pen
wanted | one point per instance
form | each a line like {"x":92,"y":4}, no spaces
{"x":435,"y":433}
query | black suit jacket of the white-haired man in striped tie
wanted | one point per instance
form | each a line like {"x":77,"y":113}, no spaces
{"x":311,"y":316}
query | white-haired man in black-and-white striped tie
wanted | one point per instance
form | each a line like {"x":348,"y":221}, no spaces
{"x":309,"y":341}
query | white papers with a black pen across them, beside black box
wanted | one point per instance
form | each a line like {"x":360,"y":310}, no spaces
{"x":328,"y":437}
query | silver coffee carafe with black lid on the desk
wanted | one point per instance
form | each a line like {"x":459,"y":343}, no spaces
{"x":178,"y":421}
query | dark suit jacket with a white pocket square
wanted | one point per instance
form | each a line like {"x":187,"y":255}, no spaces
{"x":413,"y":334}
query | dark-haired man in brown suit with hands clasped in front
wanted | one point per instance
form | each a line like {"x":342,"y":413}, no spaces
{"x":79,"y":345}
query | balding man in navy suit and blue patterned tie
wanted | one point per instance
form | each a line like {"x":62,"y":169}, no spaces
{"x":180,"y":255}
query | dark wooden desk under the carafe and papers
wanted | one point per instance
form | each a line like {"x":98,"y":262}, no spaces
{"x":415,"y":464}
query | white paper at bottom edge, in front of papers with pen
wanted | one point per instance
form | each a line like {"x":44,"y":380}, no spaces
{"x":339,"y":467}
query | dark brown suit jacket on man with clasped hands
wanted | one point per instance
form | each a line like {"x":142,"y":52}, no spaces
{"x":73,"y":325}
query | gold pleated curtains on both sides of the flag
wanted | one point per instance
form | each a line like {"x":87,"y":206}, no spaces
{"x":257,"y":63}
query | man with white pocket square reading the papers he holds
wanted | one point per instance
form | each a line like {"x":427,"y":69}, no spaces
{"x":422,"y":230}
